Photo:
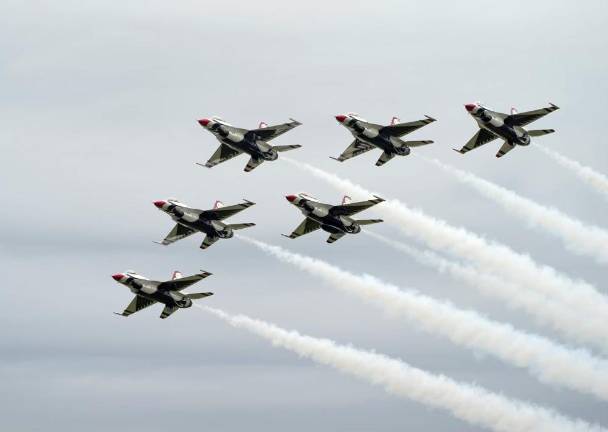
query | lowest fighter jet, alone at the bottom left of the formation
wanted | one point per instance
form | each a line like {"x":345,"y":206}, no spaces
{"x":148,"y":292}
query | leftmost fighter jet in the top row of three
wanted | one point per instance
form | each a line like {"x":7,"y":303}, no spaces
{"x":254,"y":142}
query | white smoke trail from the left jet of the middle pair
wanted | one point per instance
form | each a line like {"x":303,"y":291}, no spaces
{"x":549,"y":361}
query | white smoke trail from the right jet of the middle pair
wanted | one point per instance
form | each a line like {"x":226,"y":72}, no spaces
{"x":562,"y":319}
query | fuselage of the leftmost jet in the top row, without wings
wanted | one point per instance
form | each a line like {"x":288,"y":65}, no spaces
{"x":246,"y":142}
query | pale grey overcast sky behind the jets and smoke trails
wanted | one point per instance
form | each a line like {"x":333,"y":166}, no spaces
{"x":98,"y":117}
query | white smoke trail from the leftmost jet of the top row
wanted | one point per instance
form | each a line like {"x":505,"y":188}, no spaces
{"x":490,"y":256}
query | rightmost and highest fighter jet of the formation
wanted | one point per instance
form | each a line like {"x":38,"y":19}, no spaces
{"x":509,"y":128}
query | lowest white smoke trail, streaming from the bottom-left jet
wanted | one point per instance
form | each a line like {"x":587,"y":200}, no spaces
{"x":470,"y":403}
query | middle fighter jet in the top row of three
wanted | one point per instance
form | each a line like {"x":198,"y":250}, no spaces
{"x":387,"y":138}
